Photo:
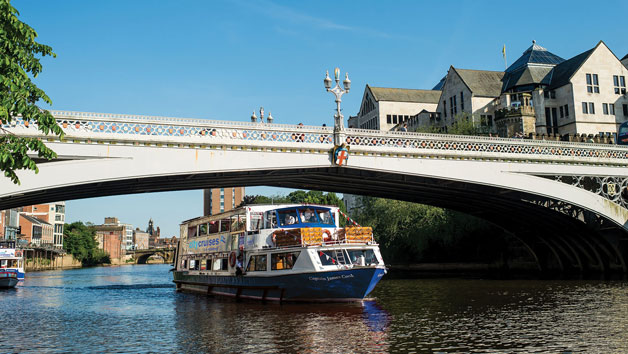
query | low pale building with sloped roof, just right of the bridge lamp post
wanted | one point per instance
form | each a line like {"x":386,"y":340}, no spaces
{"x":382,"y":108}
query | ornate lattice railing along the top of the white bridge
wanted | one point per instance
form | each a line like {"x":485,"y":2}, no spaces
{"x":87,"y":127}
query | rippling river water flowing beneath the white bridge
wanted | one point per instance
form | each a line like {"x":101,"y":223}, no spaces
{"x":136,"y":309}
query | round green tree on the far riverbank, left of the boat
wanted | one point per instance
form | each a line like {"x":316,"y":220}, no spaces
{"x":79,"y":240}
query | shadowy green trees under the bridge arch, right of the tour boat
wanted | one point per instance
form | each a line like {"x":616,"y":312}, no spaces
{"x":409,"y":232}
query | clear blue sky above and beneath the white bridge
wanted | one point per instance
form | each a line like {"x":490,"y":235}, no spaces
{"x":224,"y":59}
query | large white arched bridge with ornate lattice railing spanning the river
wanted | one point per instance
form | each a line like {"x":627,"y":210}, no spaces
{"x":567,"y":202}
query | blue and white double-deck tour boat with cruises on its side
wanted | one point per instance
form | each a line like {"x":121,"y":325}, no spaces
{"x":278,"y":253}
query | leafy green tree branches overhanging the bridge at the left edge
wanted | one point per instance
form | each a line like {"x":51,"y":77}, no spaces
{"x":19,"y":60}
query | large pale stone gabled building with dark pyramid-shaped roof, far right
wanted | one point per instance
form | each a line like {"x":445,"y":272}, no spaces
{"x":542,"y":93}
